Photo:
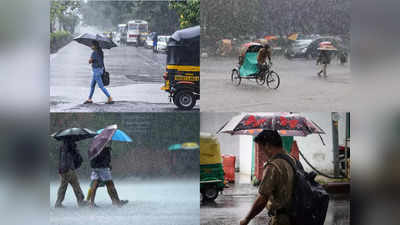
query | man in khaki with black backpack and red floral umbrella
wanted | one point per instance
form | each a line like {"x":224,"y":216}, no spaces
{"x":290,"y":194}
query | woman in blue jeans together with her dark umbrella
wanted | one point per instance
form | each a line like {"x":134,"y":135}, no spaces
{"x":97,"y":43}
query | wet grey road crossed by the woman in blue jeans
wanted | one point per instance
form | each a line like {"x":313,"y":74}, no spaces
{"x":135,"y":74}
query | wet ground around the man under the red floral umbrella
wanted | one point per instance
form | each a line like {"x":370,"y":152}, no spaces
{"x":233,"y":206}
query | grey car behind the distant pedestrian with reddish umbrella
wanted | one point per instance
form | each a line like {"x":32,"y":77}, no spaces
{"x":308,"y":48}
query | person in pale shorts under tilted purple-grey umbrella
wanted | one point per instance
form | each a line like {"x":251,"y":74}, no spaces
{"x":100,"y":162}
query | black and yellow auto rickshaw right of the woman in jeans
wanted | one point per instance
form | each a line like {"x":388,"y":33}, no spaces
{"x":182,"y":76}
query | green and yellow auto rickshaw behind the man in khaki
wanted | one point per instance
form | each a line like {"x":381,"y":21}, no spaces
{"x":211,"y":169}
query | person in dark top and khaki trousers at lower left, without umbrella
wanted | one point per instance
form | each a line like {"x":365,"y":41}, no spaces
{"x":66,"y":169}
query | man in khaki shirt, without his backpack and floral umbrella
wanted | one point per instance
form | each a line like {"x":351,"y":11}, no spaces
{"x":276,"y":187}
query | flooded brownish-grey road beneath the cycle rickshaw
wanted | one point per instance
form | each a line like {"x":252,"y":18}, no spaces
{"x":300,"y":88}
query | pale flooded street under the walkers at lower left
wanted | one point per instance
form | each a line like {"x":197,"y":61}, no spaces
{"x":150,"y":202}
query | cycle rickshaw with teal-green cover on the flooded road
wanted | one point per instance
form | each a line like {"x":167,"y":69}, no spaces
{"x":248,"y":69}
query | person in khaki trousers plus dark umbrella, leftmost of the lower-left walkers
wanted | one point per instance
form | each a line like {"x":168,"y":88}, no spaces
{"x":69,"y":161}
